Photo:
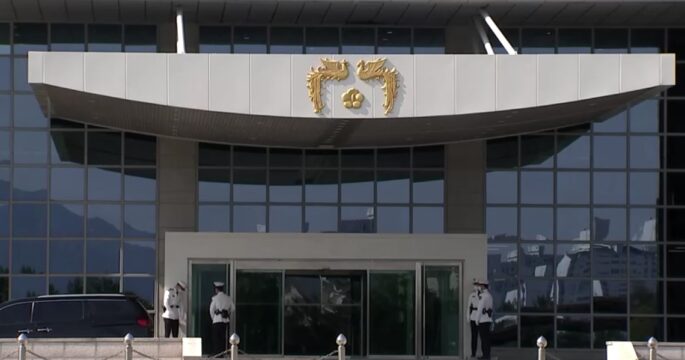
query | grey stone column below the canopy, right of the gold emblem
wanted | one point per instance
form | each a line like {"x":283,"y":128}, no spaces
{"x":465,"y":187}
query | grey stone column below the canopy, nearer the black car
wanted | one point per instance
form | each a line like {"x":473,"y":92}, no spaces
{"x":177,"y":163}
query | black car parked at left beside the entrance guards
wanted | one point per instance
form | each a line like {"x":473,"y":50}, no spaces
{"x":65,"y":316}
